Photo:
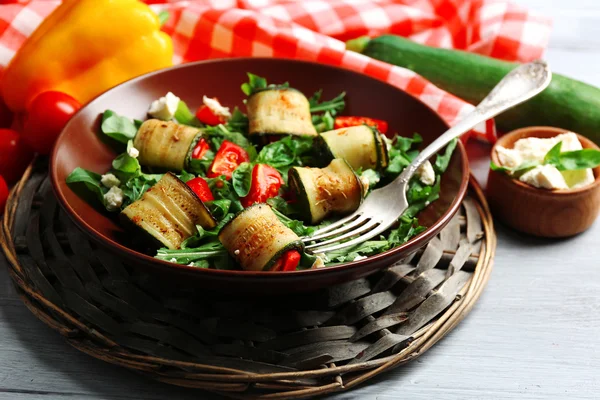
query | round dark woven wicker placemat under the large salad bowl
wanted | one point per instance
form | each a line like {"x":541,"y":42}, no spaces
{"x":289,"y":347}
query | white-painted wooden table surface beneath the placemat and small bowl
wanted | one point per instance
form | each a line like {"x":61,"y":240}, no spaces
{"x":535,"y":333}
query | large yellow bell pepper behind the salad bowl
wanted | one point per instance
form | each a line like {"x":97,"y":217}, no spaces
{"x":84,"y":48}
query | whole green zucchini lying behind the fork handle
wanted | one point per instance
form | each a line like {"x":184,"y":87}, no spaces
{"x":566,"y":103}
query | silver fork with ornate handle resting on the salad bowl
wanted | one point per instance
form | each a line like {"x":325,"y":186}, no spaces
{"x":382,"y":207}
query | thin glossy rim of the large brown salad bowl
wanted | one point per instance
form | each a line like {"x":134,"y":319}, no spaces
{"x":138,"y":257}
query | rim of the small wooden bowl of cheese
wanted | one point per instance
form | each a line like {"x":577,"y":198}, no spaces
{"x":531,"y":132}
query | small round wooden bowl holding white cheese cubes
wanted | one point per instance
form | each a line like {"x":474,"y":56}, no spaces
{"x":542,"y":212}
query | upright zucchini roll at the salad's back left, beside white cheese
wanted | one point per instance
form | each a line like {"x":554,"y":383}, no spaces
{"x":165,"y":144}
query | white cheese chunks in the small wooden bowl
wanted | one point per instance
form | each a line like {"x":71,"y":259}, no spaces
{"x":534,"y":150}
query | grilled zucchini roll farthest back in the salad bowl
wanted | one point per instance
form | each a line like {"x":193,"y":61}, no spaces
{"x":279,"y":111}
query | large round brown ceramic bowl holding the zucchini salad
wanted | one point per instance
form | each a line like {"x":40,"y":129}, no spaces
{"x":79,"y":145}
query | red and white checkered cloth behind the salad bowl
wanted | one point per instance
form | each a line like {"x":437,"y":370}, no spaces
{"x":316,"y":30}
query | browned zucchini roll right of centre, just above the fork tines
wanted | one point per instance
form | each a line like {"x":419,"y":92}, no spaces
{"x":324,"y":191}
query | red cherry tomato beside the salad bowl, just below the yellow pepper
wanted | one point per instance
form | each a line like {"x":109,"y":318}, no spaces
{"x":48,"y":114}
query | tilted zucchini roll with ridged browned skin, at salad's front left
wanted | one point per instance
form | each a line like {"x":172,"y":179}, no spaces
{"x":169,"y":212}
